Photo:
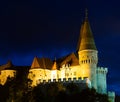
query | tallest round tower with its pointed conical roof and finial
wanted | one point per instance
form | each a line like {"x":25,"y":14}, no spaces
{"x":87,"y":52}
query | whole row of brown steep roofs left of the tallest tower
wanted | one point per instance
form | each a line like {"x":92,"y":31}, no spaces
{"x":46,"y":63}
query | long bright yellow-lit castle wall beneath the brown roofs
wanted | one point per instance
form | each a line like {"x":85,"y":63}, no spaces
{"x":65,"y":73}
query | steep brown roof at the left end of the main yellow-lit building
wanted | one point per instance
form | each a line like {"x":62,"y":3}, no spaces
{"x":44,"y":63}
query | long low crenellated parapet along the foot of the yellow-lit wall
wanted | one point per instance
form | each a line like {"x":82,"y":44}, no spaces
{"x":66,"y":80}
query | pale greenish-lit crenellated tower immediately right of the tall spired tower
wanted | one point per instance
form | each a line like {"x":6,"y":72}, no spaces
{"x":101,"y":80}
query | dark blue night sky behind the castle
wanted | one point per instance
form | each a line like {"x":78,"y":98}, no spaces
{"x":46,"y":28}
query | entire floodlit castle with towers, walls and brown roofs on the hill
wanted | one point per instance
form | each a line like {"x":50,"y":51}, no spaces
{"x":79,"y":66}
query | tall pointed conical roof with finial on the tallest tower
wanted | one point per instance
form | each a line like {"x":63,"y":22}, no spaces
{"x":86,"y":40}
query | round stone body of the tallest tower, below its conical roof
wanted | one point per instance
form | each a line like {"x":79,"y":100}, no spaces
{"x":88,"y":63}
